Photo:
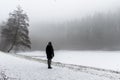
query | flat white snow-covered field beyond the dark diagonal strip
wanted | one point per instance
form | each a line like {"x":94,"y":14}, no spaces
{"x":99,"y":59}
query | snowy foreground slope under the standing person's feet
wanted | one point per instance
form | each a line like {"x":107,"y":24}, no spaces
{"x":16,"y":68}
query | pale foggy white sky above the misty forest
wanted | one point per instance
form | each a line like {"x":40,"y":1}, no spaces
{"x":57,"y":10}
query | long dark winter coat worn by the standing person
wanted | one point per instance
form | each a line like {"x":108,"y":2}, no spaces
{"x":49,"y":51}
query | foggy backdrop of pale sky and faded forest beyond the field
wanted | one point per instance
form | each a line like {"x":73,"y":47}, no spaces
{"x":70,"y":24}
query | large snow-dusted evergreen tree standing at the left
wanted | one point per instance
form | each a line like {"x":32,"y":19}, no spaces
{"x":16,"y":31}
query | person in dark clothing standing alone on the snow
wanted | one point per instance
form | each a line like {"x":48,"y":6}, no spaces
{"x":50,"y":54}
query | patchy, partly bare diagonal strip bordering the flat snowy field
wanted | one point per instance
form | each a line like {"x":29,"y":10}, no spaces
{"x":115,"y":75}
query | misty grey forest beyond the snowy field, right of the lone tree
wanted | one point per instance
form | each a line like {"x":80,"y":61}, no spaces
{"x":94,"y":32}
